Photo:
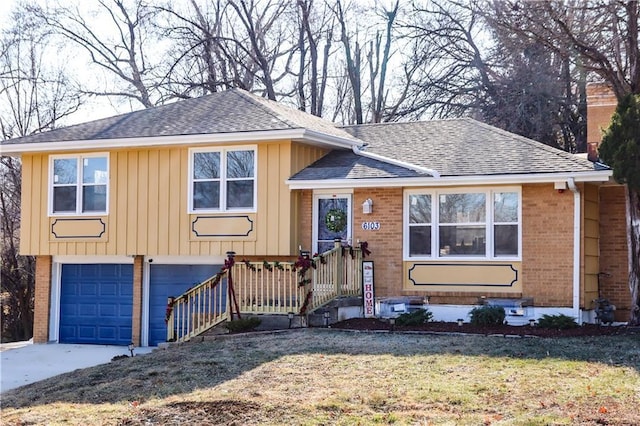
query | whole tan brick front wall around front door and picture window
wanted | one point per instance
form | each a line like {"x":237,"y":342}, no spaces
{"x":547,"y":229}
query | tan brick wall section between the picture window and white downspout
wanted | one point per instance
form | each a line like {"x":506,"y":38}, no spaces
{"x":547,"y":245}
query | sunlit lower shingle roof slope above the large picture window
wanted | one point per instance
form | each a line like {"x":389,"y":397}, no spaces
{"x":465,"y":147}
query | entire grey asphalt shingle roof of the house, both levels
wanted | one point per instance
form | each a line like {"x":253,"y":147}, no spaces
{"x":457,"y":147}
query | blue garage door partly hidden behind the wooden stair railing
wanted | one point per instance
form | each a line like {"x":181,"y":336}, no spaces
{"x":170,"y":281}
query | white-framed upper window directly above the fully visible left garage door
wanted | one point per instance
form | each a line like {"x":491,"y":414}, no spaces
{"x":79,"y":184}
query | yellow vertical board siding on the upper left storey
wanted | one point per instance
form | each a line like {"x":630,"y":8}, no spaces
{"x":148,"y":212}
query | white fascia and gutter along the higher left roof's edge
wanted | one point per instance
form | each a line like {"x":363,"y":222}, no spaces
{"x":190,"y":140}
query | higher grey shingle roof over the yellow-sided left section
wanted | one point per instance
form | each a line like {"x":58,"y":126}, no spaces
{"x":230,"y":111}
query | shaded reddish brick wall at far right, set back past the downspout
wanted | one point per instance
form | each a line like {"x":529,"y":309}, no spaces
{"x":613,"y":249}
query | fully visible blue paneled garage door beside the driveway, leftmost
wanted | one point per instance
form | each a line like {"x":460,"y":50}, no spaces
{"x":96,"y":303}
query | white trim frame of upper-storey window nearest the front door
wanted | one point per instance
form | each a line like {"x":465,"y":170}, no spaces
{"x":223,"y":179}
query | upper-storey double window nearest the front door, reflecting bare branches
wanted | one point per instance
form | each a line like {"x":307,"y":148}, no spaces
{"x":223,"y":180}
